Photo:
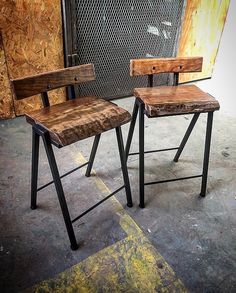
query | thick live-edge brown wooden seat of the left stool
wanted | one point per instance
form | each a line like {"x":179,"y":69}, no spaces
{"x":78,"y":119}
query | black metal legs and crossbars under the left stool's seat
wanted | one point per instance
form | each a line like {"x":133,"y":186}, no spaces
{"x":37,"y":132}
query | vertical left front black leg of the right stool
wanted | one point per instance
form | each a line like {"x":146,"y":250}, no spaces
{"x":141,"y":156}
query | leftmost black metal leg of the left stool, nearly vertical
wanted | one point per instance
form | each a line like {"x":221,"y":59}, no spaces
{"x":34,"y":168}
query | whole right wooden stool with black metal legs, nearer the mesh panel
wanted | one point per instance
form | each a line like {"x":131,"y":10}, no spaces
{"x":168,"y":101}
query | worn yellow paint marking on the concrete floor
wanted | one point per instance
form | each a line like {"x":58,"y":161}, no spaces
{"x":130,"y":265}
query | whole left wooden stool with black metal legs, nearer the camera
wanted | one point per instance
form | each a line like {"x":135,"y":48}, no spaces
{"x":66,"y":123}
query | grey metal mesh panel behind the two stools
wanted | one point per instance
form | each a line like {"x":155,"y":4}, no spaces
{"x":110,"y":33}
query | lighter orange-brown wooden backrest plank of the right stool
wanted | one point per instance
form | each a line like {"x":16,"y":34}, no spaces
{"x":165,"y":65}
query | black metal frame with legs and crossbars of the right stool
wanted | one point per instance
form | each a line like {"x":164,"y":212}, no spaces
{"x":139,"y":107}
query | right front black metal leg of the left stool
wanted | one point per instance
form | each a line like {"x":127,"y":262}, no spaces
{"x":124,"y":166}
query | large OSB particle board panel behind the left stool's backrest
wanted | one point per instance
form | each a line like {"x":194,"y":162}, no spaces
{"x":32,"y":37}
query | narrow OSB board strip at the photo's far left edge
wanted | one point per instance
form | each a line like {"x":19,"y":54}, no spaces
{"x":6,"y":103}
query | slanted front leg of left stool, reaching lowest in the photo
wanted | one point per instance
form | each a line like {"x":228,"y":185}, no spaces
{"x":59,"y":189}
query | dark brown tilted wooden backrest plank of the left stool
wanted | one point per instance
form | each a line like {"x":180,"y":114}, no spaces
{"x":44,"y":82}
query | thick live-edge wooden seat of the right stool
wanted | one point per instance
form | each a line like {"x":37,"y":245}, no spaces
{"x":170,"y":100}
